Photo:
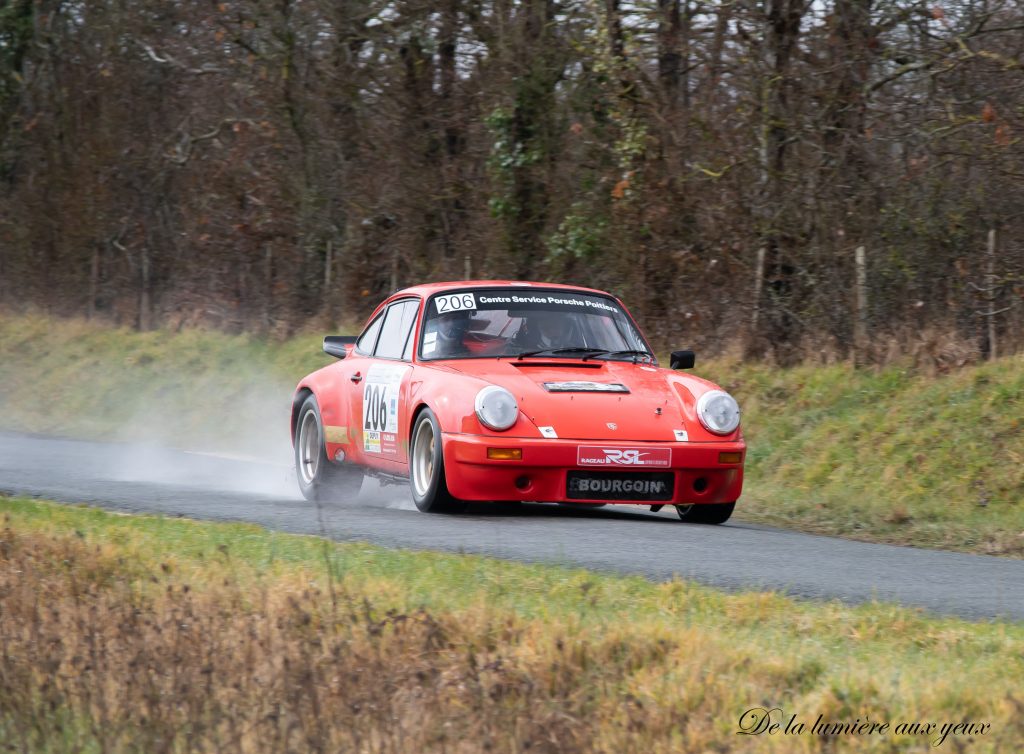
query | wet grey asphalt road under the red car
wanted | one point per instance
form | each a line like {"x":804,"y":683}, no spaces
{"x":620,"y":539}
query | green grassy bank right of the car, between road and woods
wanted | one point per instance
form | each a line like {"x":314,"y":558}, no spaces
{"x":889,"y":455}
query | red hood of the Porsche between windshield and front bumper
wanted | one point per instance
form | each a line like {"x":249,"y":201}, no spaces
{"x":659,"y":402}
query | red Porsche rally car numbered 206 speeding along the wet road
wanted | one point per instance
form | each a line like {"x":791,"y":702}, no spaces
{"x":499,"y":391}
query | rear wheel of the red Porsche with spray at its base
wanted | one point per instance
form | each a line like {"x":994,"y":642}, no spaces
{"x":321,"y":480}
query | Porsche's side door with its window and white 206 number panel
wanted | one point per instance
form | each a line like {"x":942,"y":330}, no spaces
{"x":379,"y":399}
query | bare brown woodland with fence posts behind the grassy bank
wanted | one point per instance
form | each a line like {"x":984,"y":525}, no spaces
{"x":273,"y":165}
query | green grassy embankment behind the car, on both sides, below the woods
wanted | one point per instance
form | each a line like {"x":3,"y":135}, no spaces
{"x":888,"y":455}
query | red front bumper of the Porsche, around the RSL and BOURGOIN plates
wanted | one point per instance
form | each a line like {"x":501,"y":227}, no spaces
{"x":541,"y":476}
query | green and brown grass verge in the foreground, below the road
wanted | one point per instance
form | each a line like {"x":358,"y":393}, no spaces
{"x":139,"y":634}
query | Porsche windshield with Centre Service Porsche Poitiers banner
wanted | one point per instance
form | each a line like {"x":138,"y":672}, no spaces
{"x":486,"y":323}
